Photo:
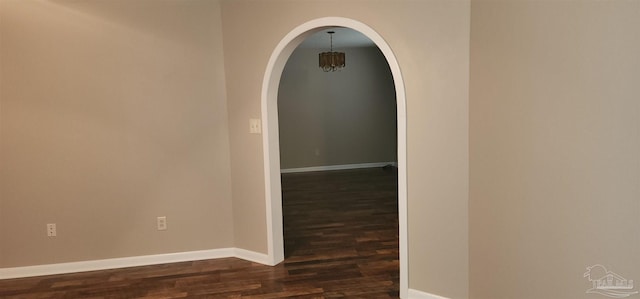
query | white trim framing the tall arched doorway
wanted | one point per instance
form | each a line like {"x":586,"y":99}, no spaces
{"x":271,"y":143}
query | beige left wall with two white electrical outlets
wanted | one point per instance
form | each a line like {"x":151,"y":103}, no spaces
{"x":112,"y":113}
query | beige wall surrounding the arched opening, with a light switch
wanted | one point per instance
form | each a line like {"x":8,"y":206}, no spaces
{"x":430,"y":40}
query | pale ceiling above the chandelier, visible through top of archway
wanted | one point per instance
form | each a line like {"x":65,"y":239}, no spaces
{"x":343,"y":38}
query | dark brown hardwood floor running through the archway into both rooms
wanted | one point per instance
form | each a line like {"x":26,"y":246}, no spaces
{"x":341,"y":240}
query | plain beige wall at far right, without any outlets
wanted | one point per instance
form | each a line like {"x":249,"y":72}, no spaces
{"x":555,"y":143}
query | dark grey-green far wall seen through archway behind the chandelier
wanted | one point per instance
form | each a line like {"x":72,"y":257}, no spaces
{"x":337,"y":118}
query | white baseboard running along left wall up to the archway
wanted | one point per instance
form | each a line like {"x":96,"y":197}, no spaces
{"x":146,"y":260}
